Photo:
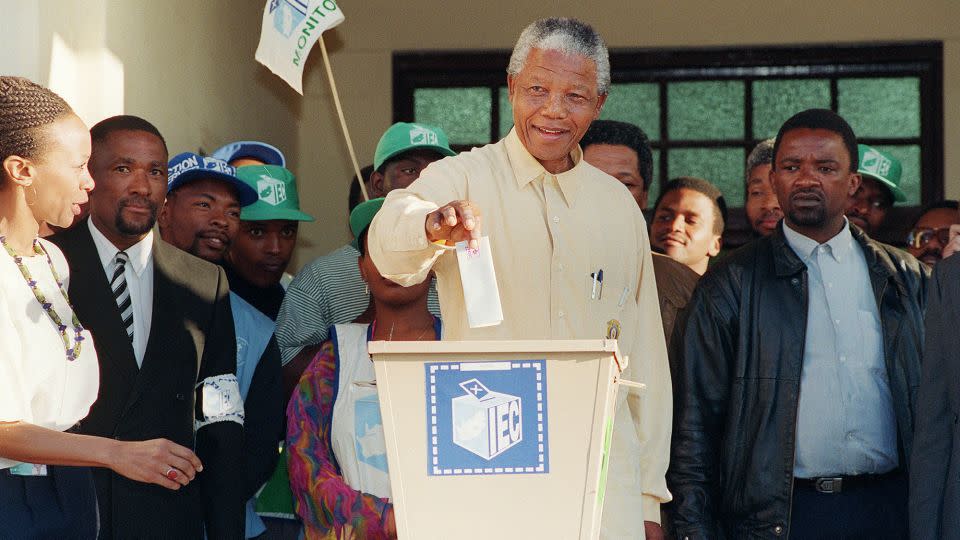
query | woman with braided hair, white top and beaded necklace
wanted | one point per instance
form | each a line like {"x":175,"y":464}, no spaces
{"x":49,"y":375}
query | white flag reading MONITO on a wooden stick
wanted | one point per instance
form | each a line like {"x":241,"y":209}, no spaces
{"x":290,"y":29}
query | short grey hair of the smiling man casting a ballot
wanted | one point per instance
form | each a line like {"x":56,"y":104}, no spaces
{"x":568,"y":36}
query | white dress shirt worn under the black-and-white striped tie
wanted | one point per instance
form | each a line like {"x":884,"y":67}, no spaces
{"x":139,"y":275}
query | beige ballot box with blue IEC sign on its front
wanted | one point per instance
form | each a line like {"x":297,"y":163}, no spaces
{"x":497,"y":439}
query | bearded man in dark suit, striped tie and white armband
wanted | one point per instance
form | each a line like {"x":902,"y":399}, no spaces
{"x":162,"y":326}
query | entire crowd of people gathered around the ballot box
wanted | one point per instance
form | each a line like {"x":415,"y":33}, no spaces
{"x":163,"y":376}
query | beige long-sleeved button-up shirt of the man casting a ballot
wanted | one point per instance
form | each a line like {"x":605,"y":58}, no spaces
{"x":548,"y":234}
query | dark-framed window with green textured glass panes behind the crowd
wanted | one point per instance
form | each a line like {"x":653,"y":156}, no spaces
{"x":704,"y":110}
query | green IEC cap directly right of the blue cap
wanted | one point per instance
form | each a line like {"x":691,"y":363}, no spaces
{"x":276,"y":188}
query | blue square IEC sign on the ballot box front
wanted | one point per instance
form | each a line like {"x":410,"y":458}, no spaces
{"x":487,"y":418}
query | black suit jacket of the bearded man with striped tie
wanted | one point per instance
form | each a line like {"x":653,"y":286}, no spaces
{"x":191,"y":338}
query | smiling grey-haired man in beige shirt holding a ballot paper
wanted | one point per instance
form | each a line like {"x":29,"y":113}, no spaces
{"x":552,"y":218}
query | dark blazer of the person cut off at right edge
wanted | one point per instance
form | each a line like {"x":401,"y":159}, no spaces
{"x":935,"y":464}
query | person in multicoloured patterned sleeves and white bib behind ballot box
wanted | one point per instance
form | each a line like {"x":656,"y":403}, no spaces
{"x":338,"y":475}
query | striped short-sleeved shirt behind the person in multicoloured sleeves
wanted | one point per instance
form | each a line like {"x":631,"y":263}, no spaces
{"x":327,"y":291}
